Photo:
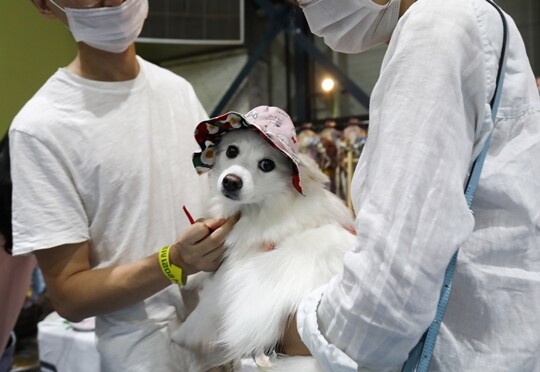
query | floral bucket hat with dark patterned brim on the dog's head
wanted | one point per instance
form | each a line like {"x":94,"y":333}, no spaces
{"x":272,"y":123}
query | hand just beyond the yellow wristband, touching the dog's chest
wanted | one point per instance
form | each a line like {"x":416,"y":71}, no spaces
{"x":200,"y":247}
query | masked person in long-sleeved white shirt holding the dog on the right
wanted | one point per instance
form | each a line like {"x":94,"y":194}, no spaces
{"x":429,"y":118}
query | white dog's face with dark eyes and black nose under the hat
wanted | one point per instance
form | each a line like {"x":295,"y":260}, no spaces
{"x":249,"y":171}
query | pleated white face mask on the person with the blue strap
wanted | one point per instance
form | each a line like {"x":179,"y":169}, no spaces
{"x":364,"y":25}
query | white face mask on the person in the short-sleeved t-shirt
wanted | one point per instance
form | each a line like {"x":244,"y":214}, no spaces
{"x":112,"y":29}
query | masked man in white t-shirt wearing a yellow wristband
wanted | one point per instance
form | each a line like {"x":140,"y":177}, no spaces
{"x":101,"y":167}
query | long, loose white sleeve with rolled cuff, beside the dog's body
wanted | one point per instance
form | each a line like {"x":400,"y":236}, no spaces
{"x":426,"y":123}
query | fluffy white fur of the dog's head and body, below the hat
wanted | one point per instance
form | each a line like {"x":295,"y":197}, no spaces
{"x":244,"y":306}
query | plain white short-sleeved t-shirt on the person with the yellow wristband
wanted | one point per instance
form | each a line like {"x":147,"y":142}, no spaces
{"x":110,"y":162}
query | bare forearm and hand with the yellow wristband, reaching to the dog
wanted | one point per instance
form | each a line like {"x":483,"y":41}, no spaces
{"x":77,"y":291}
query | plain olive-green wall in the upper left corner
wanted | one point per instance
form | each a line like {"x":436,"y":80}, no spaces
{"x":32,"y":47}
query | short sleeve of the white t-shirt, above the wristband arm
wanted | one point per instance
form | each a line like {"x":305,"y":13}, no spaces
{"x":47,"y":210}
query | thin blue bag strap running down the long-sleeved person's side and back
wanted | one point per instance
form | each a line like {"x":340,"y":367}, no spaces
{"x":420,"y":356}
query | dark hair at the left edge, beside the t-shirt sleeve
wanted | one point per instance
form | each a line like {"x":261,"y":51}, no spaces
{"x":5,"y":194}
